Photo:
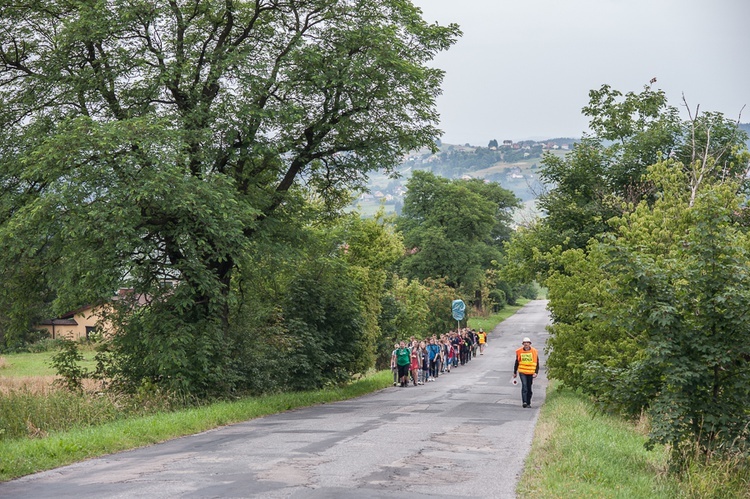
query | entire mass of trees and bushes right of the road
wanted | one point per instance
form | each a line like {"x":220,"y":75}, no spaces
{"x":646,"y":262}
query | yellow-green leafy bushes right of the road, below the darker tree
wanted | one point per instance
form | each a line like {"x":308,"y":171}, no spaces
{"x":654,"y":319}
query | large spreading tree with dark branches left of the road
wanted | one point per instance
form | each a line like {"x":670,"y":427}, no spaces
{"x":149,"y":142}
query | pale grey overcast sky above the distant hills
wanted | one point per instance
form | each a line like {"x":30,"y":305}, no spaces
{"x":523,"y":68}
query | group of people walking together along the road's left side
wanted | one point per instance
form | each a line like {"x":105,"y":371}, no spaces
{"x":419,"y":362}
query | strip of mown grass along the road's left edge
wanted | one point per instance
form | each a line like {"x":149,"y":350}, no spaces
{"x":24,"y":456}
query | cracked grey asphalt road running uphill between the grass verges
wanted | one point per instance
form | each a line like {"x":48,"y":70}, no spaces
{"x":465,"y":435}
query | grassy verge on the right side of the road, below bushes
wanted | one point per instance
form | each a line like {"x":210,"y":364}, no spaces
{"x":579,"y":452}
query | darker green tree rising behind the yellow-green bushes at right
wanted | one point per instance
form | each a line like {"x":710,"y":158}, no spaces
{"x":604,"y":175}
